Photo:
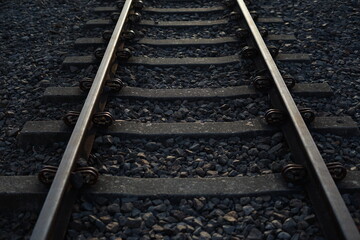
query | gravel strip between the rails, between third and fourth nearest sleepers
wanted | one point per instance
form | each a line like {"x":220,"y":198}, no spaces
{"x":184,"y":77}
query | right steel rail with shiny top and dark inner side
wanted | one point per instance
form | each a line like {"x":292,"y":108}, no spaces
{"x":333,"y":215}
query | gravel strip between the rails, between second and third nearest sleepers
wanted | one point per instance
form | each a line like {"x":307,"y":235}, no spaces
{"x":225,"y":110}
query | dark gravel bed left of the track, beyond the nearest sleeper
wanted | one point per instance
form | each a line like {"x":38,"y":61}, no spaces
{"x":36,"y":36}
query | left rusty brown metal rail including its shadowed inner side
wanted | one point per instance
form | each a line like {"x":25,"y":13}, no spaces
{"x":56,"y":211}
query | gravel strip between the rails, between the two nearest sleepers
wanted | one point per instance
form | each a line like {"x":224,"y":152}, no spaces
{"x":186,"y":157}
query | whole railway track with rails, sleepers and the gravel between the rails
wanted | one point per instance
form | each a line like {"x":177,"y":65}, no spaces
{"x":132,"y":67}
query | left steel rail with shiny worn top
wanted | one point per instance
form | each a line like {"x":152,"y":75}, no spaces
{"x":61,"y":186}
